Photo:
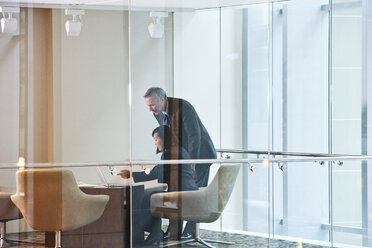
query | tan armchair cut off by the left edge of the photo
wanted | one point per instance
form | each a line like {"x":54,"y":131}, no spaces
{"x":8,"y":211}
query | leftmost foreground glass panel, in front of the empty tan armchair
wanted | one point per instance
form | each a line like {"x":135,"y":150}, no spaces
{"x":64,"y":98}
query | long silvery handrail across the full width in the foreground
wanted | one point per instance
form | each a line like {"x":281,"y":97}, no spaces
{"x":264,"y":161}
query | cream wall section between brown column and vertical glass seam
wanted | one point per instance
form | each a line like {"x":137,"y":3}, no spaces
{"x":91,"y":90}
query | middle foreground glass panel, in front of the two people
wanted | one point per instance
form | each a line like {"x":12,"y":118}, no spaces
{"x":209,"y":58}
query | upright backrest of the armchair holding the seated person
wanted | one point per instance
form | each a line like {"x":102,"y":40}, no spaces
{"x":219,"y":190}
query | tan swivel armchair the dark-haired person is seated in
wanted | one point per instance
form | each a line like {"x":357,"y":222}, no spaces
{"x":205,"y":205}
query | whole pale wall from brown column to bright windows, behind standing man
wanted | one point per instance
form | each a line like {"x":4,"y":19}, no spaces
{"x":91,"y":79}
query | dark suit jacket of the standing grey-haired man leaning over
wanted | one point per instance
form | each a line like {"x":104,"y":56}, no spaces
{"x":187,"y":129}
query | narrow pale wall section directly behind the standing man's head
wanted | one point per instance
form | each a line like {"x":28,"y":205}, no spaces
{"x":152,"y":65}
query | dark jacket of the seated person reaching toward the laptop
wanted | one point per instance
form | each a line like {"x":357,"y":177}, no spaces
{"x":179,"y":177}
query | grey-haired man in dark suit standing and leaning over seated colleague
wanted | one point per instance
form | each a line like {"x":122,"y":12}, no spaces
{"x":187,"y":131}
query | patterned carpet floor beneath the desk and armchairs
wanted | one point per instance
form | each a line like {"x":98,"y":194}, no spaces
{"x":36,"y":239}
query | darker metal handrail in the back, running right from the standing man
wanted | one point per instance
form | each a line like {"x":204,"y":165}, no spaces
{"x":275,"y":153}
